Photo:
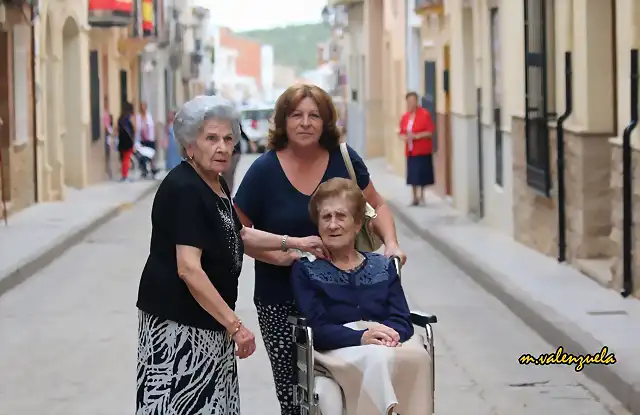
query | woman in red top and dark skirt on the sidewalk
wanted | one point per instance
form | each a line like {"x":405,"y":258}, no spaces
{"x":416,"y":129}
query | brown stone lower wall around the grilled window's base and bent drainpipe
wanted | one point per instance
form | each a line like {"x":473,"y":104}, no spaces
{"x":588,"y":197}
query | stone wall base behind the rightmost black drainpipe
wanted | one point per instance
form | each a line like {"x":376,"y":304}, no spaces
{"x":616,"y":230}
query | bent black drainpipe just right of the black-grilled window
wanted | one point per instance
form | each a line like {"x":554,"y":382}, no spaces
{"x":562,"y":216}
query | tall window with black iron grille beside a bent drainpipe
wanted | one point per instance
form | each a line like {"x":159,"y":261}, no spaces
{"x":536,"y":96}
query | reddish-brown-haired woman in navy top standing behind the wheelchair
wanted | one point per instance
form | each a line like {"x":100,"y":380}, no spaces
{"x":274,"y":196}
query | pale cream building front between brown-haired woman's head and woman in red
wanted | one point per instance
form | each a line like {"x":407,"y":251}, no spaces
{"x":370,"y":46}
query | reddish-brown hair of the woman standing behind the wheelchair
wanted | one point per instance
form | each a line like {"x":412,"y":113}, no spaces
{"x":289,"y":101}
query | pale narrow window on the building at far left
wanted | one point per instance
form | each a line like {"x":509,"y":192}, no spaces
{"x":21,"y":40}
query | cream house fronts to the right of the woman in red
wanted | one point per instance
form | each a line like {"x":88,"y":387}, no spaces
{"x":538,"y":99}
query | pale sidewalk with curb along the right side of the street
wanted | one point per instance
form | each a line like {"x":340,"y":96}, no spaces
{"x":564,"y":306}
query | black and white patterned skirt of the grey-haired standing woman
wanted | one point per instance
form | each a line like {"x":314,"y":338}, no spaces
{"x":184,"y":370}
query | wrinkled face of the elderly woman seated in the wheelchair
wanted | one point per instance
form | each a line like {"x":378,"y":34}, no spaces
{"x":336,"y":224}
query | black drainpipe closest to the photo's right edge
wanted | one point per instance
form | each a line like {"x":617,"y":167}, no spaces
{"x":627,"y":183}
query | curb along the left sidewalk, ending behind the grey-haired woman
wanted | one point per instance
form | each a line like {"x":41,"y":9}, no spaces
{"x":60,"y":246}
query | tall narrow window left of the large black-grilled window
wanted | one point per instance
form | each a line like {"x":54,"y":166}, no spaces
{"x":496,"y":89}
